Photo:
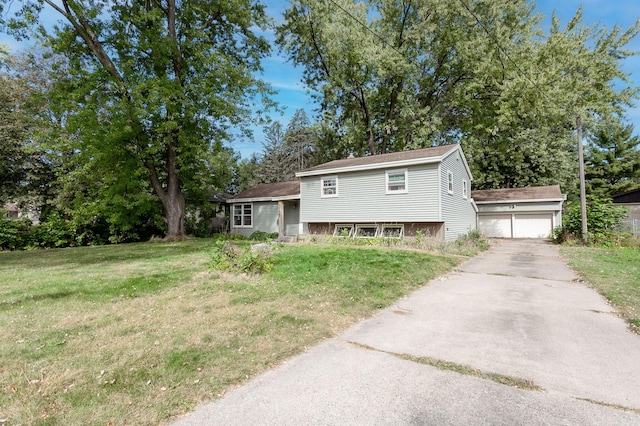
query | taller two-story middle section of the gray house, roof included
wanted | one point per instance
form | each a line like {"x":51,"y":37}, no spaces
{"x":401,"y":193}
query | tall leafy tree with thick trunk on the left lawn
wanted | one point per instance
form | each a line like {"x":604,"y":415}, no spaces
{"x":152,"y":86}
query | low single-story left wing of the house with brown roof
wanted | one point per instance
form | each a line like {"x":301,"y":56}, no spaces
{"x":268,"y":207}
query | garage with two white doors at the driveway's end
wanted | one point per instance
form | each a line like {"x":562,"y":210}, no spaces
{"x":531,"y":212}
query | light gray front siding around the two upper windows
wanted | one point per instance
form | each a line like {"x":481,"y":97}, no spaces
{"x":362,"y":197}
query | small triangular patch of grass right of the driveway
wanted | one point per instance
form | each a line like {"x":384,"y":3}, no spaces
{"x":614,"y":272}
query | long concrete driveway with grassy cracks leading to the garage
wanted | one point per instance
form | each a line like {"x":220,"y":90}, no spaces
{"x":514,"y":311}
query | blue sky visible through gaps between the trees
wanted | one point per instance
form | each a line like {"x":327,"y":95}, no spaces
{"x":292,"y":94}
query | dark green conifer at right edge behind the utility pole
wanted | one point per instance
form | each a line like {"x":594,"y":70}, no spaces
{"x":612,"y":159}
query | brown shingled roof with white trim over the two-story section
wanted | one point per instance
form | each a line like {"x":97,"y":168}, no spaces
{"x":394,"y":159}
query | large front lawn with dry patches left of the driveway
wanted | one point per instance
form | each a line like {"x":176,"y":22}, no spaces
{"x":141,"y":333}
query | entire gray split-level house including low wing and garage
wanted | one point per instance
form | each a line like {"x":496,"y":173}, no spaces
{"x":425,"y":191}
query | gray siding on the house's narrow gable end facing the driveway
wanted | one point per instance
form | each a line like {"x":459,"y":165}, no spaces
{"x":457,"y":212}
